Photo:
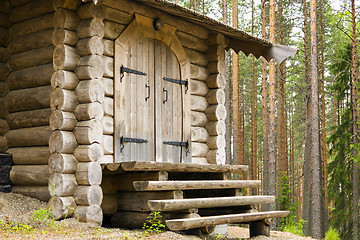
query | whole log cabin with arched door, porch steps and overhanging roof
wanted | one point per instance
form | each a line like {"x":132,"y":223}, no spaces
{"x":115,"y":108}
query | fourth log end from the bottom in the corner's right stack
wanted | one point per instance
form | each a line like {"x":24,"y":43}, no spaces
{"x":89,"y":153}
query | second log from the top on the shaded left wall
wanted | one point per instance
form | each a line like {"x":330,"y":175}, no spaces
{"x":33,"y":25}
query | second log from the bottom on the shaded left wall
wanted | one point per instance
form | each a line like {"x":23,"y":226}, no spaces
{"x":29,"y":175}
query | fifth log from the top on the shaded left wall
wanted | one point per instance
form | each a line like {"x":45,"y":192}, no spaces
{"x":30,"y":77}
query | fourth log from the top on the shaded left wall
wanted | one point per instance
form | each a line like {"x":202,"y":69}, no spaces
{"x":31,"y":58}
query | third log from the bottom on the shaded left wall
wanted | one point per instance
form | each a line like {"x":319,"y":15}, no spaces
{"x":30,"y":155}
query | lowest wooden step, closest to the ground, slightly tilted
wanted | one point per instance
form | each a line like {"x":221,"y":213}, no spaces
{"x":199,"y":222}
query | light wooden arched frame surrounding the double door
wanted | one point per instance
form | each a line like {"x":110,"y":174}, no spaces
{"x":142,"y":27}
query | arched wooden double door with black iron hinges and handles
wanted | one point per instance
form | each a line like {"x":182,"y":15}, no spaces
{"x":151,"y":104}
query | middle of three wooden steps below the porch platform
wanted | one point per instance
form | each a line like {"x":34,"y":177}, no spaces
{"x":180,"y":204}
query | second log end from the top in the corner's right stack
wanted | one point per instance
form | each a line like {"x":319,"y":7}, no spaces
{"x":91,"y":27}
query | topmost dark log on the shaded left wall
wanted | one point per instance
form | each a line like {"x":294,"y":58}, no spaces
{"x":31,"y":10}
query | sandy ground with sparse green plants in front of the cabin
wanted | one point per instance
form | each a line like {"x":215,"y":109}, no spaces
{"x":18,"y":220}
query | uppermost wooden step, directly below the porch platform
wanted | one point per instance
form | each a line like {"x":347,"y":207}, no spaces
{"x":193,"y":185}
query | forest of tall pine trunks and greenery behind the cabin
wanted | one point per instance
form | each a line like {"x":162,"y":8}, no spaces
{"x":315,"y":97}
